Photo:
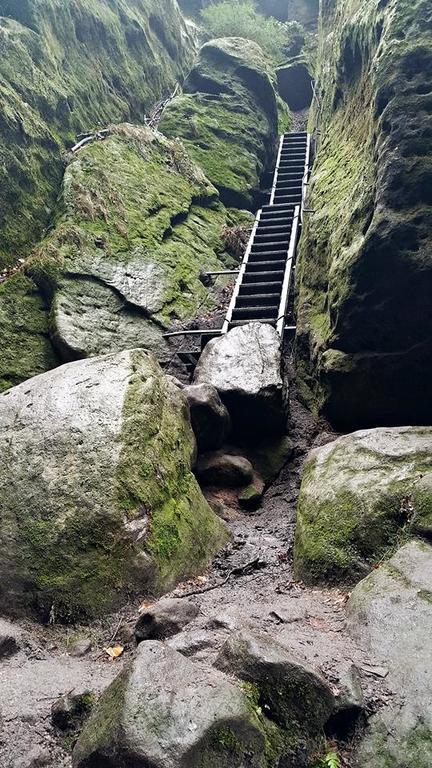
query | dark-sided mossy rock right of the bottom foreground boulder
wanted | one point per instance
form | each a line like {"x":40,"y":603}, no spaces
{"x":290,"y":692}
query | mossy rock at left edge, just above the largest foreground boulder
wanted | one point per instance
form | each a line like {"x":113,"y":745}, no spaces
{"x":26,"y":349}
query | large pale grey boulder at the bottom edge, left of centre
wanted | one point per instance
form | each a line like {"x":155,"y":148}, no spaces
{"x":165,"y":711}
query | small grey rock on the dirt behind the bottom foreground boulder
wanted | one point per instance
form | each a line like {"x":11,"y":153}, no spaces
{"x":165,"y":619}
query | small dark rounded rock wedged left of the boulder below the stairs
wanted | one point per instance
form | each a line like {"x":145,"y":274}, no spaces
{"x":210,"y":419}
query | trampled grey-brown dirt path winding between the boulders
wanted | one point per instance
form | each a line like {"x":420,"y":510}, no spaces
{"x":311,"y":622}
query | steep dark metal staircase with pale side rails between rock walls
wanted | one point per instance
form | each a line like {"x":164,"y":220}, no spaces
{"x":263,"y":284}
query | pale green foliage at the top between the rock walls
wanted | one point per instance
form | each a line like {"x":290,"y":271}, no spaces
{"x":231,"y":18}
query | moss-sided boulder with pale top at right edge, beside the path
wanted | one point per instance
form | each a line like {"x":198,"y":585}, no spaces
{"x":356,"y":494}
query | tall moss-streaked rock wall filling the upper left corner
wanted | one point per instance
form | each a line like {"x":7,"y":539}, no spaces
{"x":68,"y":66}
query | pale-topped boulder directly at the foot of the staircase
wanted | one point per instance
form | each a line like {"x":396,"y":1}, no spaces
{"x":244,"y":366}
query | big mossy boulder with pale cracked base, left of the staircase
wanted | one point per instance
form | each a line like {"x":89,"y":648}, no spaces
{"x":136,"y":223}
